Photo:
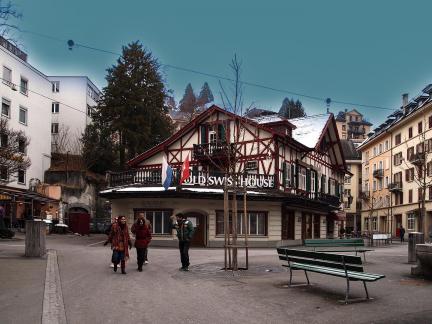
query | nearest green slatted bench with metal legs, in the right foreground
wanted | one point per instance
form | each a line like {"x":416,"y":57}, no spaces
{"x":345,"y":266}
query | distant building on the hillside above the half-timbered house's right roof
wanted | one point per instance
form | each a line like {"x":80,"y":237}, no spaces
{"x":351,"y":125}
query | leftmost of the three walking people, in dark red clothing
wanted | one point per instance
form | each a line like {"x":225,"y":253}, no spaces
{"x":120,"y":243}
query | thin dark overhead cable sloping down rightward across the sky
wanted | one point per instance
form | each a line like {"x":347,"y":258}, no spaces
{"x":219,"y":77}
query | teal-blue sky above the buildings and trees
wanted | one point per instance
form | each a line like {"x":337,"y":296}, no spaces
{"x":357,"y":52}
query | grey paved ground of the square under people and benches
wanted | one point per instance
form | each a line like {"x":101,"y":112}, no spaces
{"x":93,"y":293}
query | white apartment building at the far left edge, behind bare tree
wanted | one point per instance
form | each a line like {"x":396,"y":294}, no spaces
{"x":26,"y":110}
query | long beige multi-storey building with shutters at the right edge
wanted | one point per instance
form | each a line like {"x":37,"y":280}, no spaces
{"x":403,"y":142}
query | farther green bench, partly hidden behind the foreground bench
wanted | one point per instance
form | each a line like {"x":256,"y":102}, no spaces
{"x":346,"y":245}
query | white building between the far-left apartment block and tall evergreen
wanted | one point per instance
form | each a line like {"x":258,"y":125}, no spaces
{"x":74,"y":98}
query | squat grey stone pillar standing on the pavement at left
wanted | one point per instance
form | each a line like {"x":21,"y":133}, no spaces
{"x":35,"y":239}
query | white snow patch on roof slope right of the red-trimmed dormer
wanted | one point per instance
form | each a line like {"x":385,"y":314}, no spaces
{"x":309,"y":129}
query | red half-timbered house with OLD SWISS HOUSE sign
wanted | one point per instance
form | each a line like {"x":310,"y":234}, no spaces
{"x":292,"y":171}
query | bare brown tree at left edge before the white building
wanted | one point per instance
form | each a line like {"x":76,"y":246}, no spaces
{"x":13,"y":149}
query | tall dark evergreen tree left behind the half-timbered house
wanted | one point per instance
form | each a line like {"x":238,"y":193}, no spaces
{"x":132,"y":112}
